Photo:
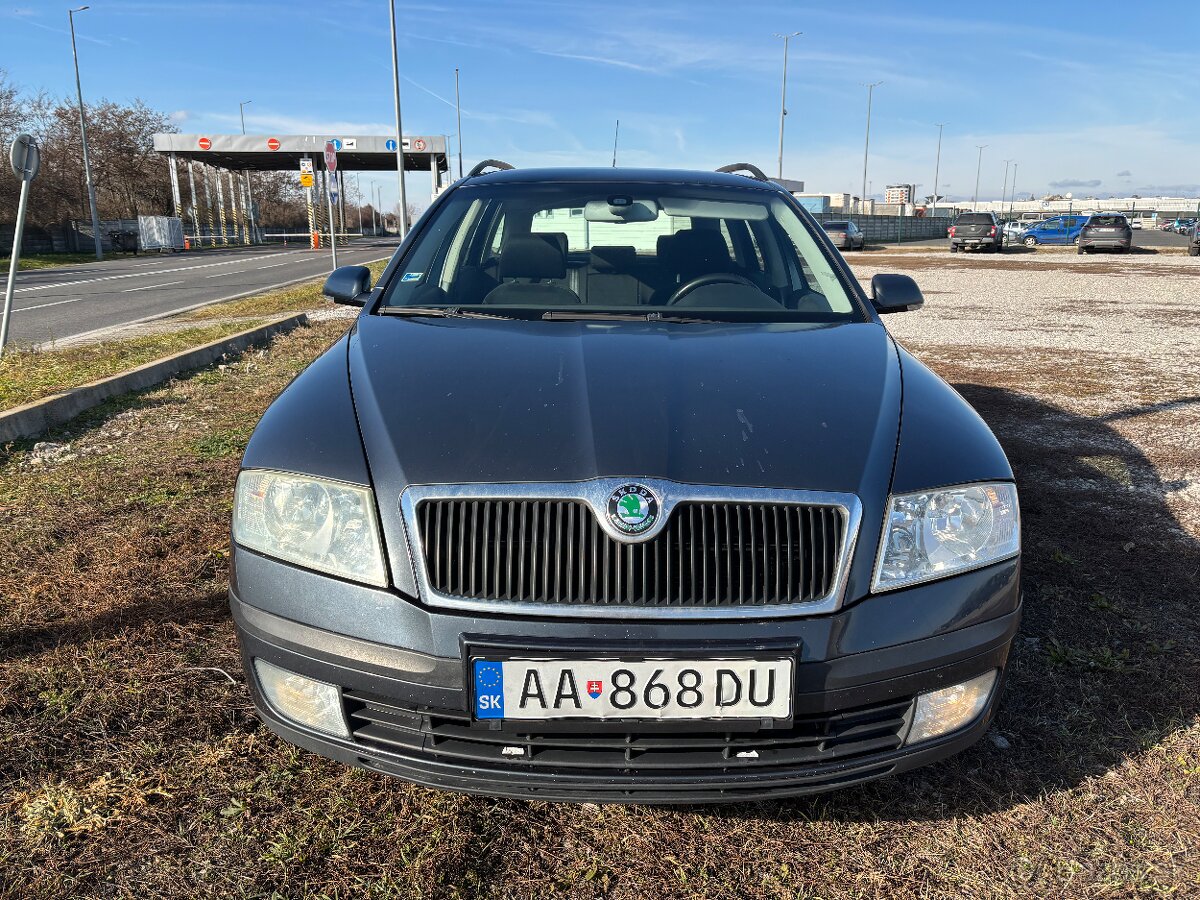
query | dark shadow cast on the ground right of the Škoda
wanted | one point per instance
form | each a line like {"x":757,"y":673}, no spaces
{"x":1106,"y":665}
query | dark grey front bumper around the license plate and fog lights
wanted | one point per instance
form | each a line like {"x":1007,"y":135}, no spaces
{"x":856,"y":677}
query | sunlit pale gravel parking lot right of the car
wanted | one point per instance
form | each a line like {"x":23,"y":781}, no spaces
{"x":1114,"y":338}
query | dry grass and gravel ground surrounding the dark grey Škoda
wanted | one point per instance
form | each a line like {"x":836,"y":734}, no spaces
{"x":131,"y":764}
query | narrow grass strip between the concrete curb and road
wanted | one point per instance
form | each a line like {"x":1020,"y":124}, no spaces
{"x":27,"y":376}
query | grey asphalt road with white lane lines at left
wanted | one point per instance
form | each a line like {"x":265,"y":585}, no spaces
{"x":56,"y":304}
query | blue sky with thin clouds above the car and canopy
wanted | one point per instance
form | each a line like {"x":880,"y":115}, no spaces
{"x":1094,"y":98}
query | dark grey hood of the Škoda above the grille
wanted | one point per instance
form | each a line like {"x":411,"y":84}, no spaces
{"x":447,"y":401}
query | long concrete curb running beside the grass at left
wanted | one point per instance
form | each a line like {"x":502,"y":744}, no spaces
{"x":35,"y":418}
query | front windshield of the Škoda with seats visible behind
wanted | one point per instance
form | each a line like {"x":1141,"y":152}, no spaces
{"x":605,"y":249}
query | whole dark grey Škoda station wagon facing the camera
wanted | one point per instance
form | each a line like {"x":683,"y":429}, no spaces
{"x":620,"y":490}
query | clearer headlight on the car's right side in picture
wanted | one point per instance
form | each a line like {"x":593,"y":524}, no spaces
{"x":937,"y":533}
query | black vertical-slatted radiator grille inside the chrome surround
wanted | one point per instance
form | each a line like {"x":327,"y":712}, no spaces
{"x":554,"y":551}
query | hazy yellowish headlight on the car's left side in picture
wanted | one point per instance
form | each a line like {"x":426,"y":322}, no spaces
{"x":320,"y":525}
